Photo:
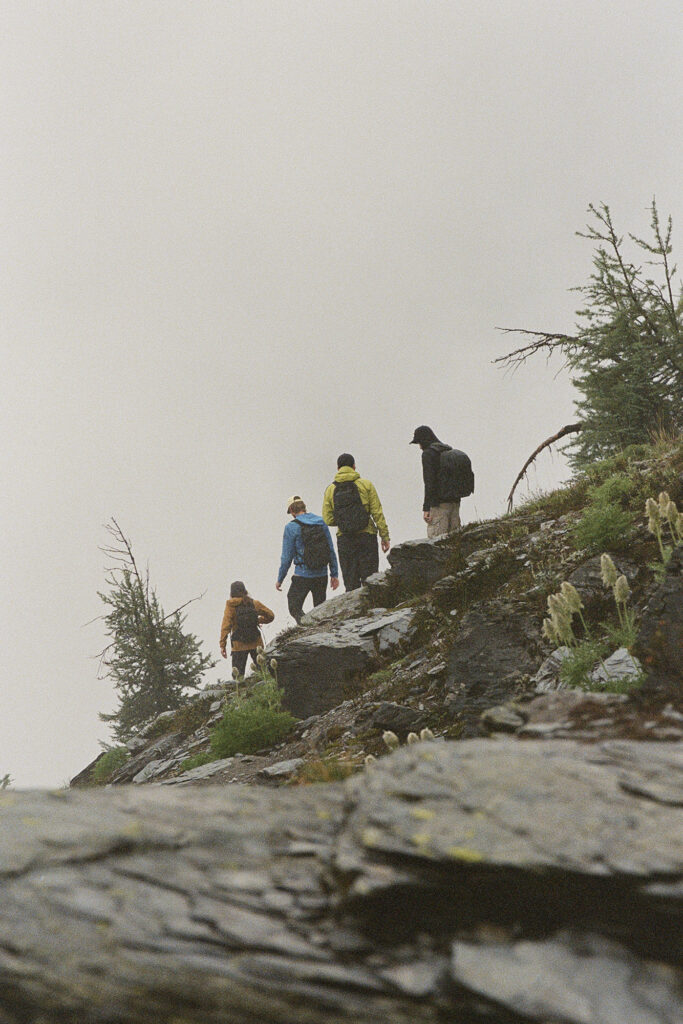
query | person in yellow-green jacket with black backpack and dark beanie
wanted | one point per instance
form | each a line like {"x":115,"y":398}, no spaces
{"x":352,"y":504}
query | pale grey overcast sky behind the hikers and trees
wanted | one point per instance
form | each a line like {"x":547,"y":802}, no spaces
{"x":240,"y":238}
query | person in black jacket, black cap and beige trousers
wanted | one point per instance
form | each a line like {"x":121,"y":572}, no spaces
{"x":448,"y":477}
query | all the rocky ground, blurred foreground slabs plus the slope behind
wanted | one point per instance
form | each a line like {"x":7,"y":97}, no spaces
{"x":522,"y":864}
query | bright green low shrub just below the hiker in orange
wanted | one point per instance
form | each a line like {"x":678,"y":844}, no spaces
{"x":251,"y":723}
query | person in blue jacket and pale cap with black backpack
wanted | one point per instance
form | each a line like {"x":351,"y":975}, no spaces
{"x":308,"y":543}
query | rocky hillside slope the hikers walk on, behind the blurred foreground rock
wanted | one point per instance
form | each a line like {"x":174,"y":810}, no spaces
{"x":450,"y":639}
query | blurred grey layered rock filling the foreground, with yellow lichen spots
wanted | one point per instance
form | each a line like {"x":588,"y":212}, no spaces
{"x":483,"y":881}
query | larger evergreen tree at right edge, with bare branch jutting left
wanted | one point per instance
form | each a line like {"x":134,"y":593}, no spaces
{"x":626,"y":358}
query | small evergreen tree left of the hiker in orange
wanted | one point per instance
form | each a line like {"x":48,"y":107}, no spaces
{"x":151,"y":659}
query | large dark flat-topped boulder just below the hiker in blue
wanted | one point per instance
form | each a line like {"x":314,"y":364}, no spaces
{"x":322,"y":668}
